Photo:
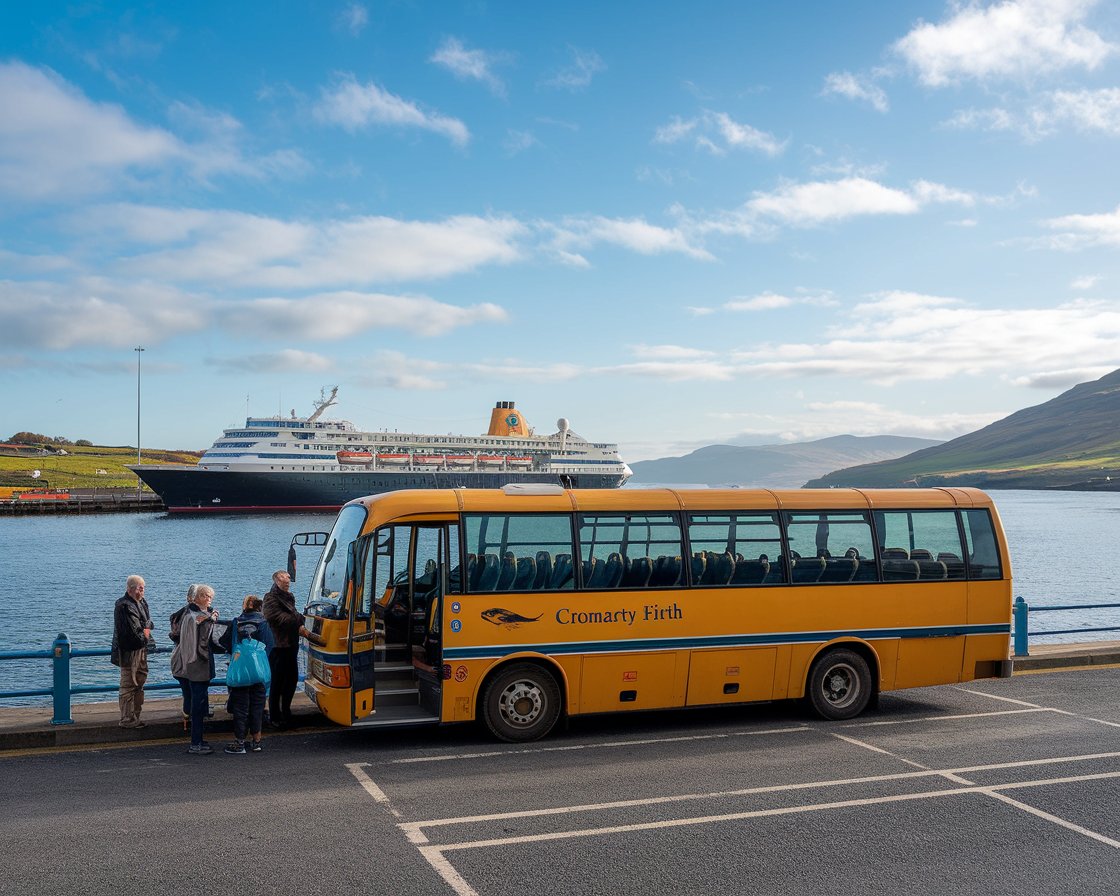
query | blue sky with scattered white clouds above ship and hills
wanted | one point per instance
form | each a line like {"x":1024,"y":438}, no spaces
{"x":674,"y":225}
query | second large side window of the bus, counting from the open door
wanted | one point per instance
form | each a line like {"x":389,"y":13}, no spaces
{"x":637,"y":550}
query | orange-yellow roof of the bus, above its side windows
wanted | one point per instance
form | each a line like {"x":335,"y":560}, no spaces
{"x":449,"y":502}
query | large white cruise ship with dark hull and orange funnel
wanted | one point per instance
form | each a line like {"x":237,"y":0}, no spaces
{"x":315,"y":464}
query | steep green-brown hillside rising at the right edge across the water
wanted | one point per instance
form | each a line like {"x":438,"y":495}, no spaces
{"x":1071,"y":442}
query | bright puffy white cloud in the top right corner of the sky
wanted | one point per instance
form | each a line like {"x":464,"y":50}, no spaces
{"x":1011,"y":40}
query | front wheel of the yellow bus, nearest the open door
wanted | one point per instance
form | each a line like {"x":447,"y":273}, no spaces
{"x":521,"y":704}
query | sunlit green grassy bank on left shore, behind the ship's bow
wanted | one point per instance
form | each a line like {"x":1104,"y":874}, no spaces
{"x":80,"y":468}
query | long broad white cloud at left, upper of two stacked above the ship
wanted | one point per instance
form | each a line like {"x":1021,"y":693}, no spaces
{"x":230,"y":248}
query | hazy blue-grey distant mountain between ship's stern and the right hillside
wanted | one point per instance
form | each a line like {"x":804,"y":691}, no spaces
{"x":780,"y":466}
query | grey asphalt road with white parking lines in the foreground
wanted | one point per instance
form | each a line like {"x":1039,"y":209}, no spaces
{"x":993,"y":788}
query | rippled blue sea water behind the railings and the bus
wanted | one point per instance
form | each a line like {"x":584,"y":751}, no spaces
{"x":63,"y":574}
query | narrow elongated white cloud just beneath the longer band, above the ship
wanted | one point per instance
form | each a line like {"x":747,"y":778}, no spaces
{"x":341,"y":315}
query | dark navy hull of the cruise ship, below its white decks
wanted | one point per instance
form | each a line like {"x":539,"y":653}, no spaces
{"x":194,"y":490}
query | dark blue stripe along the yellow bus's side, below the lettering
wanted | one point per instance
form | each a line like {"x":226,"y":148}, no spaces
{"x":724,"y":641}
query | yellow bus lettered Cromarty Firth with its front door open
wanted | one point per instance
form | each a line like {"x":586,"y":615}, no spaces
{"x":525,"y":605}
